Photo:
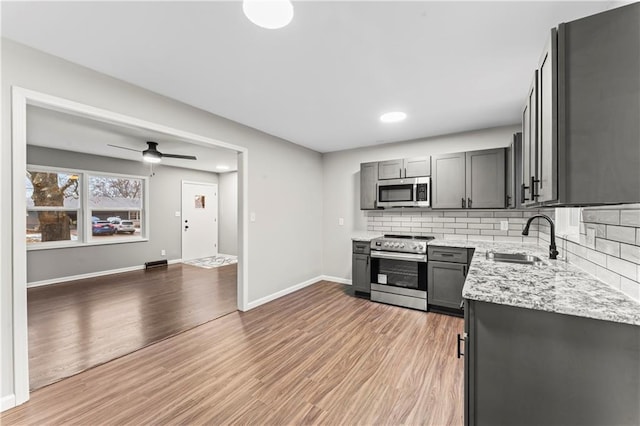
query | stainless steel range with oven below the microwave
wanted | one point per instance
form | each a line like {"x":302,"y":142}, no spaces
{"x":399,"y":270}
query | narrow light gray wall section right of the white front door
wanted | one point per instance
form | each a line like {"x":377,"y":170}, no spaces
{"x":228,"y":213}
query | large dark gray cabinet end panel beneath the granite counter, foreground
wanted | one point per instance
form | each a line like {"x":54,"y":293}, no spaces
{"x":530,"y":367}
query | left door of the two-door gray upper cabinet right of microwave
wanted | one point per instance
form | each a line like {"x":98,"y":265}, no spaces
{"x":448,"y":181}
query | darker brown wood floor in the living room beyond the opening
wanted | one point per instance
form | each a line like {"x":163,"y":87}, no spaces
{"x":80,"y":324}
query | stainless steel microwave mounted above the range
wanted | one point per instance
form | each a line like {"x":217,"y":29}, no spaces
{"x":410,"y":192}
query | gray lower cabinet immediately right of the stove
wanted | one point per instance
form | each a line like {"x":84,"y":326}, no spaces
{"x":446,"y":271}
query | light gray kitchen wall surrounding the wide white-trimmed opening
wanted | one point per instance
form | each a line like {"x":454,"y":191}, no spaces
{"x":280,"y":175}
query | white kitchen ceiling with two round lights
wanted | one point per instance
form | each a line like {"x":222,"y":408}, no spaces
{"x":323,"y":81}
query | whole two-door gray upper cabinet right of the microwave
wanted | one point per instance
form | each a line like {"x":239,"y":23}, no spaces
{"x":473,"y":179}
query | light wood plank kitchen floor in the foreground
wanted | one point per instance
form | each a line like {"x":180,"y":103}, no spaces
{"x":316,"y":356}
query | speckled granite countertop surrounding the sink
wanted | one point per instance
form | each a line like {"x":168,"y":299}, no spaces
{"x":556,"y":286}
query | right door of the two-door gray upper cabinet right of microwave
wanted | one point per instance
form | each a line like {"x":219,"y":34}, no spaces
{"x":485,"y":176}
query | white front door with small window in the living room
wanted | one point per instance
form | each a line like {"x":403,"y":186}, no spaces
{"x":199,"y":220}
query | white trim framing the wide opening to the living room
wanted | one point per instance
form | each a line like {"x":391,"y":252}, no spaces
{"x":22,"y":100}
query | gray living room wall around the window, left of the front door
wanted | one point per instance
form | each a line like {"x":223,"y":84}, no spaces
{"x":165,"y":189}
